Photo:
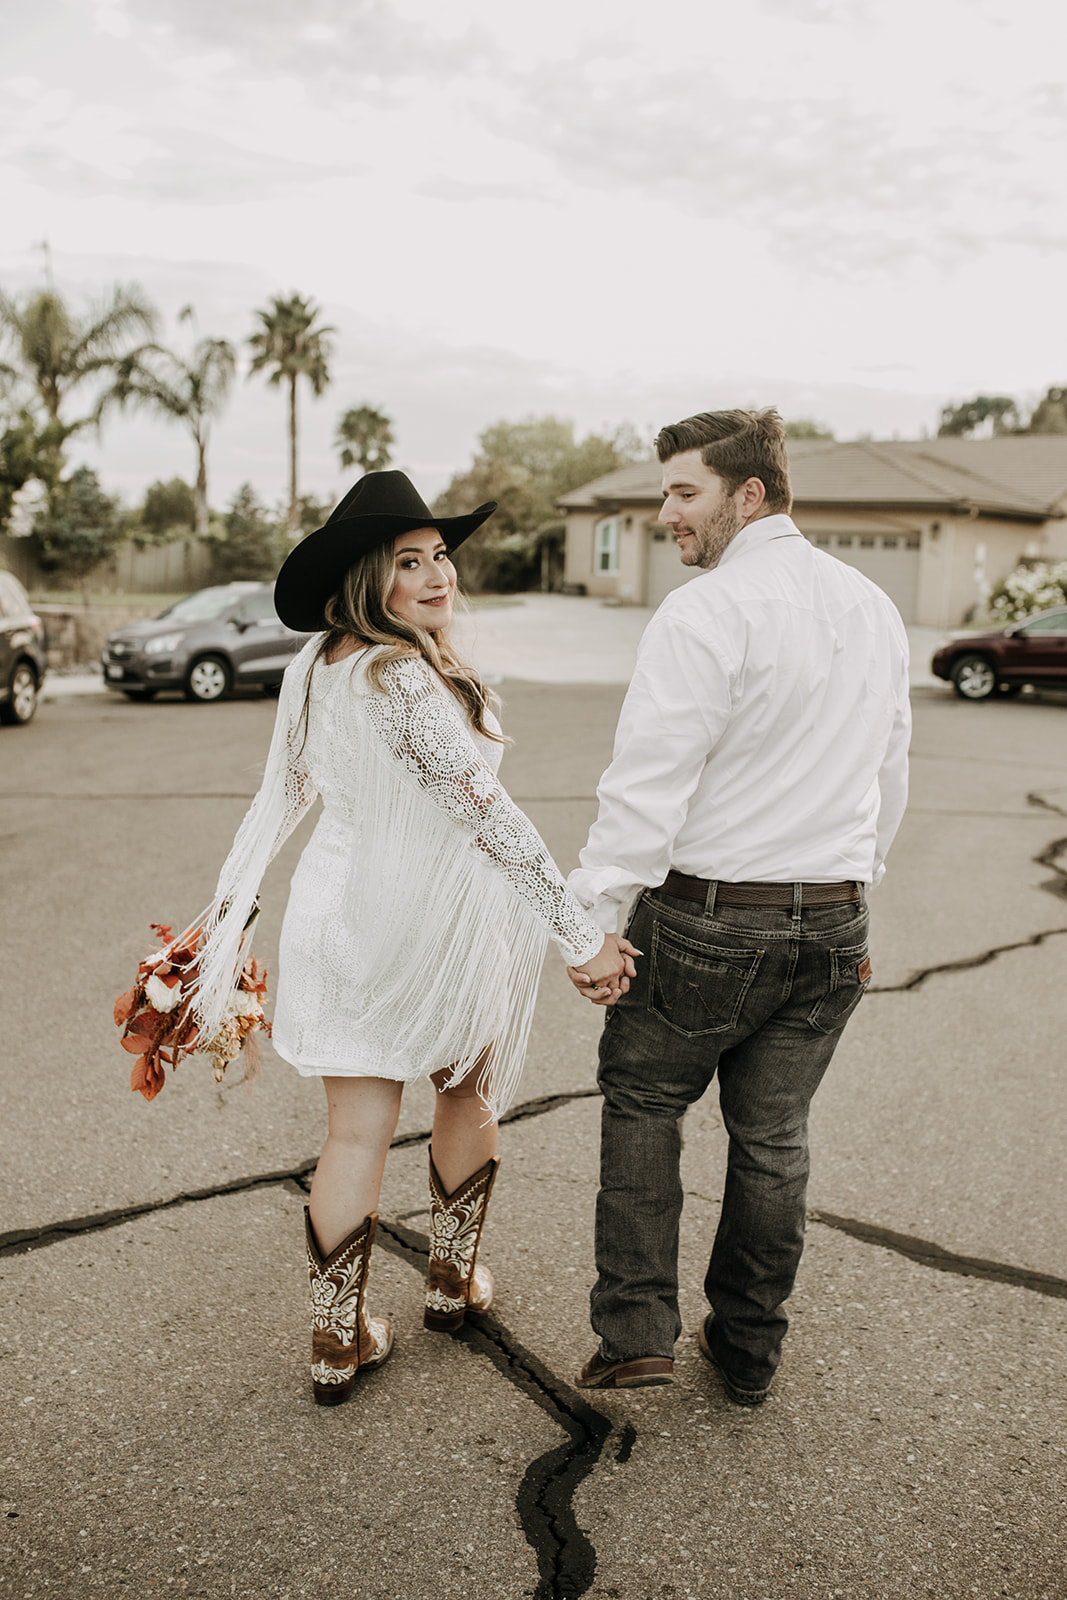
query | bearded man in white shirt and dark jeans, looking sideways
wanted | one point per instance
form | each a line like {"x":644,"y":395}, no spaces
{"x":759,"y":777}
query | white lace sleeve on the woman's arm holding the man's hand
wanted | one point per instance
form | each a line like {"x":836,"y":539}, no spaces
{"x":425,"y":734}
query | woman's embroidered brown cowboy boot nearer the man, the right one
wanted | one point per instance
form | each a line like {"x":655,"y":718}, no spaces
{"x":457,"y":1284}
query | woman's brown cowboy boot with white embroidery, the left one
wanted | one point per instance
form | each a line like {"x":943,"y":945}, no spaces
{"x":345,"y":1340}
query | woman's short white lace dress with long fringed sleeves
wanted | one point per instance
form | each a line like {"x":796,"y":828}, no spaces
{"x":422,"y":906}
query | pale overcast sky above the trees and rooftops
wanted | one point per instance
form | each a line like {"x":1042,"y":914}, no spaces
{"x":604,"y":209}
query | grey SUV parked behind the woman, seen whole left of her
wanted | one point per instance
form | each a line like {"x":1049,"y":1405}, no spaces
{"x":204,"y":646}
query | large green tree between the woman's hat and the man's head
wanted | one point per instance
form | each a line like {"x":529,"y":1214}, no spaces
{"x":527,"y":466}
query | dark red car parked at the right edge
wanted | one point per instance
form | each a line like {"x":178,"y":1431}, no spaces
{"x":1004,"y":662}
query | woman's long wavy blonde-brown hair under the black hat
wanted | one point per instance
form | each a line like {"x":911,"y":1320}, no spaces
{"x":361,"y":610}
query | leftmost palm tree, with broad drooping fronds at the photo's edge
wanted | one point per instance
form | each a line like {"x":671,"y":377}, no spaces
{"x":57,"y":351}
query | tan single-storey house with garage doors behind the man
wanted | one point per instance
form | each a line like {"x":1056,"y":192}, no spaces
{"x":933,"y":522}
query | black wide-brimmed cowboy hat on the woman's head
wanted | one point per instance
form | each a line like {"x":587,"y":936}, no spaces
{"x":374,"y":513}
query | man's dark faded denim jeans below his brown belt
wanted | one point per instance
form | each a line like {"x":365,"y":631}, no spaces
{"x":759,"y":996}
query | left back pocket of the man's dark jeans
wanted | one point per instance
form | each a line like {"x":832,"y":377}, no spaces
{"x":698,"y":988}
